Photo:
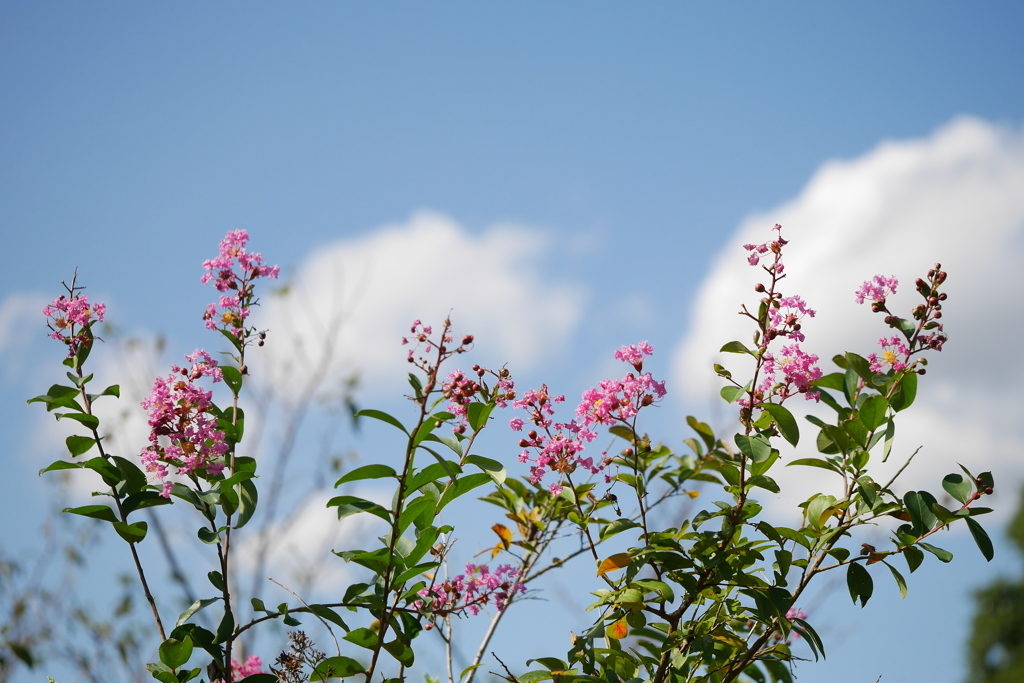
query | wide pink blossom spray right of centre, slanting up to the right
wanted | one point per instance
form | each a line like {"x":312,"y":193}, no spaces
{"x":560,"y":446}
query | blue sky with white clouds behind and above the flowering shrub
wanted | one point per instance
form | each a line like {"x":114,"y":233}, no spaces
{"x":599,"y":165}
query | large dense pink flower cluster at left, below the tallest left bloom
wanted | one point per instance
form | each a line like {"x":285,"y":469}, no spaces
{"x":183,"y":430}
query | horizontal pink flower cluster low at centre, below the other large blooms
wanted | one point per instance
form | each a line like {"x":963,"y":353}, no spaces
{"x":472,"y":591}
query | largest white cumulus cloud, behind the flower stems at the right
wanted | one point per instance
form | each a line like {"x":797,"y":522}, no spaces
{"x":956,"y":197}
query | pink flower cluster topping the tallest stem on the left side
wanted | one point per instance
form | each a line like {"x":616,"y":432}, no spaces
{"x":236,"y":288}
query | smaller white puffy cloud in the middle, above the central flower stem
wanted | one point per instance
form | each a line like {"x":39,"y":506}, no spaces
{"x":354,"y":301}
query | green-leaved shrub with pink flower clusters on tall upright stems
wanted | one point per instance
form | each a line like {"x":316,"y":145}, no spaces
{"x":711,"y":600}
